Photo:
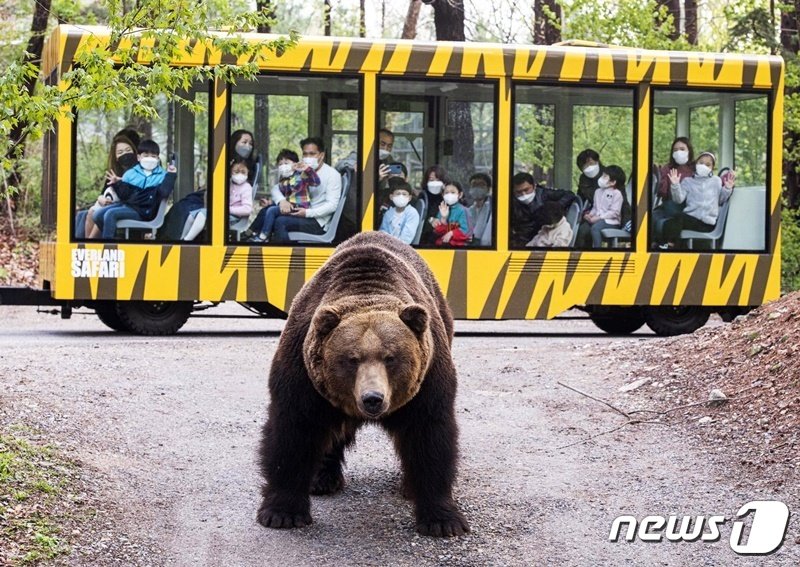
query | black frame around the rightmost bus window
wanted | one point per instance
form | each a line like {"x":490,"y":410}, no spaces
{"x":770,"y":97}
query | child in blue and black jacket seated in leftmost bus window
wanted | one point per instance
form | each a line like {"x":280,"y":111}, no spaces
{"x":140,"y":191}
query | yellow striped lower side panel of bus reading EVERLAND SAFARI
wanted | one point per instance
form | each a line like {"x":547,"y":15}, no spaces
{"x":478,"y":284}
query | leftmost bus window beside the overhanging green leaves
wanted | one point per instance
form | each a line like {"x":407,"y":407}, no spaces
{"x":179,"y":132}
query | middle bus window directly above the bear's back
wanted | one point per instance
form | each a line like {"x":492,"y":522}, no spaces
{"x":449,"y":124}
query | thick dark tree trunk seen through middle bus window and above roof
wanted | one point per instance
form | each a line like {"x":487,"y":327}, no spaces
{"x":448,"y":19}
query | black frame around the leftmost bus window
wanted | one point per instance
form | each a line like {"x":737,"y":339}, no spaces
{"x":74,"y":175}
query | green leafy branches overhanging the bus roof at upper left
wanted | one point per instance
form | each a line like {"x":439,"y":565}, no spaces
{"x":132,"y":66}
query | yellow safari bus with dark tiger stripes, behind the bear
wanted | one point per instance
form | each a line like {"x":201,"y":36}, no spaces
{"x":493,"y":124}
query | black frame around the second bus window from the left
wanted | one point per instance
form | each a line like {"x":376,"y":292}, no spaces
{"x":359,"y":77}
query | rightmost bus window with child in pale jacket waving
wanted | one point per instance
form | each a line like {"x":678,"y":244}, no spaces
{"x":710,"y":212}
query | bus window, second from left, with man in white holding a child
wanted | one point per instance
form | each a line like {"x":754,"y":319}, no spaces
{"x":280,"y":111}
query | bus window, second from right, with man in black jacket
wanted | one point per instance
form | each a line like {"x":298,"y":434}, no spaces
{"x":560,"y":133}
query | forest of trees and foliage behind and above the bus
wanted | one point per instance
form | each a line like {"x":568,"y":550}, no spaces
{"x":27,"y":107}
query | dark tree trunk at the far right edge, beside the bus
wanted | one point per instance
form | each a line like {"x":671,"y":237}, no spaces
{"x":790,"y":40}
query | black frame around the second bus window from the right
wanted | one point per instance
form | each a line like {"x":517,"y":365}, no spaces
{"x":636,"y":91}
